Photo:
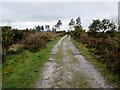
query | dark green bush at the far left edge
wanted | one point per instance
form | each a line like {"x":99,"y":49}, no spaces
{"x":10,"y":36}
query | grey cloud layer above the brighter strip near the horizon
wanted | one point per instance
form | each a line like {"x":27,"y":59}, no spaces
{"x":38,"y":11}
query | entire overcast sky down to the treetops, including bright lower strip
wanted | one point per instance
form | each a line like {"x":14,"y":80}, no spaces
{"x":29,"y":14}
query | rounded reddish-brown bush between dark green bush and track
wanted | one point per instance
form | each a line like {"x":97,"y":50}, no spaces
{"x":39,"y":40}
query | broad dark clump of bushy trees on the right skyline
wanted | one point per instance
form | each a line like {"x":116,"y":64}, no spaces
{"x":102,"y":26}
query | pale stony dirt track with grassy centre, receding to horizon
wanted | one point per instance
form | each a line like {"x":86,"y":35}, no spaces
{"x":66,"y":68}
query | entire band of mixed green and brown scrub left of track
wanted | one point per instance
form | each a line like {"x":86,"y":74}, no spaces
{"x":13,"y":39}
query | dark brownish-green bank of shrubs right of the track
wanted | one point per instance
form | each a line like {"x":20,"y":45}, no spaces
{"x":104,"y":46}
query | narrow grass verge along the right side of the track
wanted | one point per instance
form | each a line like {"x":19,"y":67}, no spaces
{"x":112,"y":79}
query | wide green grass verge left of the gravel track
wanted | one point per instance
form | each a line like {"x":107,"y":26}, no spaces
{"x":22,"y":70}
